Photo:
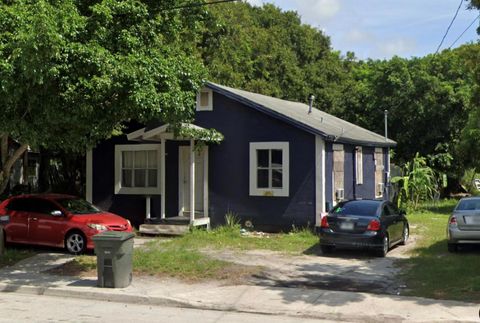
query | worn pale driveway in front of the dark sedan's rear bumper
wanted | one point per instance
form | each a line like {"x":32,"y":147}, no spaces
{"x":343,"y":270}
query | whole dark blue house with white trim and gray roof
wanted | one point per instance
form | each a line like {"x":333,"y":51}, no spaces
{"x":281,"y":164}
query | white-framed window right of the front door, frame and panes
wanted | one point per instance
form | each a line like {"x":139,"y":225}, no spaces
{"x":269,"y":168}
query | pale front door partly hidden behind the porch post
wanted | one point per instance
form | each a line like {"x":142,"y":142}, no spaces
{"x":184,"y":180}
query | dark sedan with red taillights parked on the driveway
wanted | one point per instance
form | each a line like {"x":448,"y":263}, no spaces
{"x":369,"y":224}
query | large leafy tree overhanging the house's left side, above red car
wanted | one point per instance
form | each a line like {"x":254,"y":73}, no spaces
{"x":72,"y":71}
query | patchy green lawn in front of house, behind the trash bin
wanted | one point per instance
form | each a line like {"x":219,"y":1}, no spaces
{"x":181,"y":257}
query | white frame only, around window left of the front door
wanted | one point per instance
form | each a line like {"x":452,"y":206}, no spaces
{"x":119,"y":149}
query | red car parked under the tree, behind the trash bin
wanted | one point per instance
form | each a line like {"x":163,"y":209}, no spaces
{"x":57,"y":220}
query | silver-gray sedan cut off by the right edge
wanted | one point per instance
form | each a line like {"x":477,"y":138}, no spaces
{"x":464,"y":223}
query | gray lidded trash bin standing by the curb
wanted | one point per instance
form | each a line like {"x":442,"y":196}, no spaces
{"x":114,"y":258}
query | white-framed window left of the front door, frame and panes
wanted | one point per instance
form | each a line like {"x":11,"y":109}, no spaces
{"x":137,"y":169}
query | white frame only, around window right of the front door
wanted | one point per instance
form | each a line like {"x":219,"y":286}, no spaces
{"x":278,"y":145}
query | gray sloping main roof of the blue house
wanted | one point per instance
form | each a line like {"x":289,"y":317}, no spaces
{"x":296,"y":113}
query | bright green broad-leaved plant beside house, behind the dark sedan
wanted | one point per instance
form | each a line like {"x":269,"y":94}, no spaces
{"x":418,"y":183}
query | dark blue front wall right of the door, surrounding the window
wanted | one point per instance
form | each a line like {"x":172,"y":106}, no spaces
{"x":229,"y":167}
